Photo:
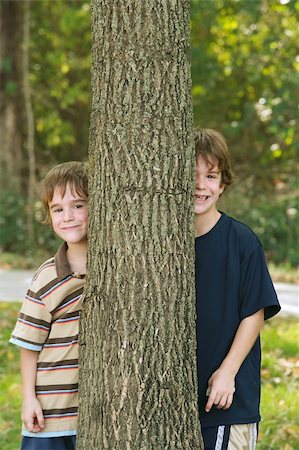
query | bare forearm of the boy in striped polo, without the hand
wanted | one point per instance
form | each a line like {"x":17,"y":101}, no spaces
{"x":28,"y":370}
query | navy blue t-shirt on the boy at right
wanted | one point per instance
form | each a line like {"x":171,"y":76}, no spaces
{"x":232,"y":282}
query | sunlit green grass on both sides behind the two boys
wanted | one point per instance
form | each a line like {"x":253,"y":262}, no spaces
{"x":279,"y":429}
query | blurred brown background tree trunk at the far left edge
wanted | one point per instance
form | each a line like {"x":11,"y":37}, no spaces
{"x":10,"y":95}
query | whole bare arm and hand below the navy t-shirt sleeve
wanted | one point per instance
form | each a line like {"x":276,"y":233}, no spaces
{"x":221,"y":385}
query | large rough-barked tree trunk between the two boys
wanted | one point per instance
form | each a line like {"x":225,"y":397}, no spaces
{"x":137,"y":353}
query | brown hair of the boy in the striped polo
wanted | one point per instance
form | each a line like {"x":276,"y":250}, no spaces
{"x":72,"y":173}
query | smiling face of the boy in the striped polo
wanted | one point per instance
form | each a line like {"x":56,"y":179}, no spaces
{"x":69,"y":215}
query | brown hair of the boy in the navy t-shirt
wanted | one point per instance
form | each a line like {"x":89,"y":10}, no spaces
{"x":211,"y":146}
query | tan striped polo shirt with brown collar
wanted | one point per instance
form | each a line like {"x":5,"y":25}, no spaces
{"x":49,"y":324}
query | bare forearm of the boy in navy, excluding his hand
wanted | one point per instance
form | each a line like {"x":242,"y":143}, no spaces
{"x":243,"y":342}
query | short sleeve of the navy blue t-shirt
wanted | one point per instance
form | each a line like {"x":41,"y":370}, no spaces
{"x":257,"y":290}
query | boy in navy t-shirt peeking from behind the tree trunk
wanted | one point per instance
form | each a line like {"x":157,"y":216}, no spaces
{"x":234,"y":295}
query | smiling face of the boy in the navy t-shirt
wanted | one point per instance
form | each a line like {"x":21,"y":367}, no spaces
{"x":208,"y":187}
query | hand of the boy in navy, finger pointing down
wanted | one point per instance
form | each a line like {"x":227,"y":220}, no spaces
{"x":221,"y":388}
